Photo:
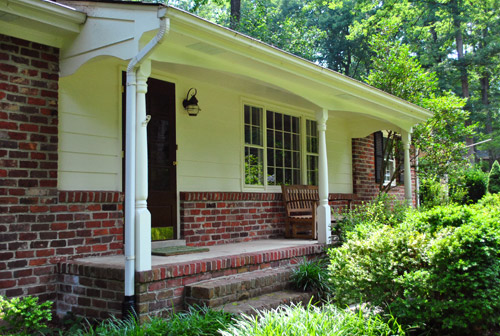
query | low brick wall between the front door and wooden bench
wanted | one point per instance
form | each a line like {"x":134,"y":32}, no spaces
{"x":210,"y":218}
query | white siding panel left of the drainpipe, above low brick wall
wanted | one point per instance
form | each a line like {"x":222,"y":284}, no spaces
{"x":89,"y":128}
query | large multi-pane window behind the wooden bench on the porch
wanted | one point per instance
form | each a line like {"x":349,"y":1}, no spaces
{"x":274,"y":157}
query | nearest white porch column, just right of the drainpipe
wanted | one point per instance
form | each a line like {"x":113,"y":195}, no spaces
{"x":142,"y":214}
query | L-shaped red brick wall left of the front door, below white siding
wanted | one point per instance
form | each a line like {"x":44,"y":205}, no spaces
{"x":40,"y":225}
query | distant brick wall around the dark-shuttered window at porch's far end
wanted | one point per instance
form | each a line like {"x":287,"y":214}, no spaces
{"x":363,"y":170}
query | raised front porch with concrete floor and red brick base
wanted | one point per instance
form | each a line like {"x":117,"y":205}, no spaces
{"x":94,"y":287}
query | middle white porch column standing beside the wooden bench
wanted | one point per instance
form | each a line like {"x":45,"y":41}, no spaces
{"x":323,"y":213}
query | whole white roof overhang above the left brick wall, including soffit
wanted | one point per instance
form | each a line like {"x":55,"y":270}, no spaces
{"x":44,"y":22}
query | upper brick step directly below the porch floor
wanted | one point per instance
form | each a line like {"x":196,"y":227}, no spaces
{"x":223,"y":290}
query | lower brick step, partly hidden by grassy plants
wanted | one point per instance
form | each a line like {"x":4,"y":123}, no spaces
{"x":266,"y":302}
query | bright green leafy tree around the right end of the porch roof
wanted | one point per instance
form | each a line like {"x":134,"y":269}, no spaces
{"x":397,"y":72}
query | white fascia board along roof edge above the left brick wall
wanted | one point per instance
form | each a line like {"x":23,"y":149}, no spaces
{"x":49,"y":13}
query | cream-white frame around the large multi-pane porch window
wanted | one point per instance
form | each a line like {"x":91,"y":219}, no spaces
{"x":303,"y":115}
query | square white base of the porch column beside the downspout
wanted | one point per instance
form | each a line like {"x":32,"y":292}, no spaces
{"x":143,"y":240}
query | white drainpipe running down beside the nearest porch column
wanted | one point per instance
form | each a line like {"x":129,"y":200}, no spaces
{"x":128,"y":307}
